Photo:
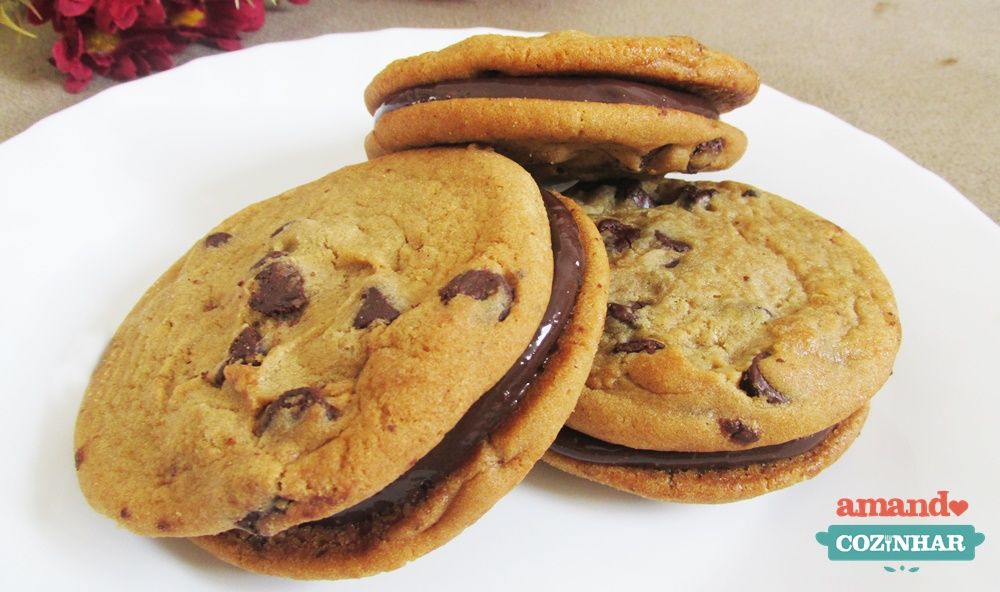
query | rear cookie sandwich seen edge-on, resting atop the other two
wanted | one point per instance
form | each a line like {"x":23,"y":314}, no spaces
{"x":568,"y":104}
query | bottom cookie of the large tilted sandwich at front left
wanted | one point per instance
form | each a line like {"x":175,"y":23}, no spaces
{"x":380,"y":534}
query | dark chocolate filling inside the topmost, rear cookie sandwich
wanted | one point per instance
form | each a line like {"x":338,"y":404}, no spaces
{"x":596,"y":90}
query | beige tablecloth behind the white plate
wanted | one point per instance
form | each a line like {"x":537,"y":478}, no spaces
{"x":923,"y":75}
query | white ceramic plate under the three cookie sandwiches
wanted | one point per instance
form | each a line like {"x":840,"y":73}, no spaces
{"x":97,"y":200}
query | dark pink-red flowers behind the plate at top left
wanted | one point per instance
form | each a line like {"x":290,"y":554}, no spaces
{"x":125,"y":39}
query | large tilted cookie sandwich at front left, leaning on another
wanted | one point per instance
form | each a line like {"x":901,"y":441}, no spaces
{"x":341,"y":378}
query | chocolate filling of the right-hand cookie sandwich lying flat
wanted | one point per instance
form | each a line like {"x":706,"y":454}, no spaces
{"x":579,"y":446}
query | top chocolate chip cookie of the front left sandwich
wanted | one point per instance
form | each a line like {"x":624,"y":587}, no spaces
{"x":302,"y":355}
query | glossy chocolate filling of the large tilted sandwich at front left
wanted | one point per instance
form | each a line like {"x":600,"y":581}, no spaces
{"x":502,"y":400}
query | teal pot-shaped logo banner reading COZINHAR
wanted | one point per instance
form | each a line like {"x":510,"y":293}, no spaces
{"x":872,"y":542}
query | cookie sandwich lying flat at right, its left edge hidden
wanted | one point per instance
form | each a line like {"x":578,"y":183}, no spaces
{"x":744,"y":338}
